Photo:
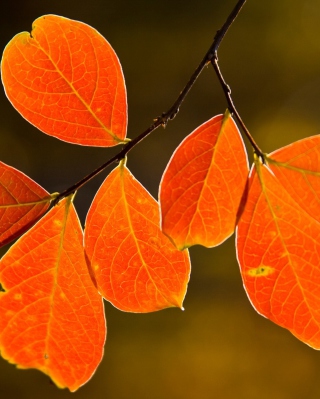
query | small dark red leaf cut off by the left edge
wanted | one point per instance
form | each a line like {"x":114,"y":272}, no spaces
{"x":22,"y":202}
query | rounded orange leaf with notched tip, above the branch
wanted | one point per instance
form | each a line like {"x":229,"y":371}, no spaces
{"x":66,"y":80}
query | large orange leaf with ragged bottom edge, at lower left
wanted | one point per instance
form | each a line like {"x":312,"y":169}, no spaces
{"x":52,"y":316}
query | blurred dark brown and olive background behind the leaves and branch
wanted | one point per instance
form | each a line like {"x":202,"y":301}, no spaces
{"x":219,"y":347}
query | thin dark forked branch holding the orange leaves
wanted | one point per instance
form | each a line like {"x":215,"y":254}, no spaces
{"x":162,"y":120}
